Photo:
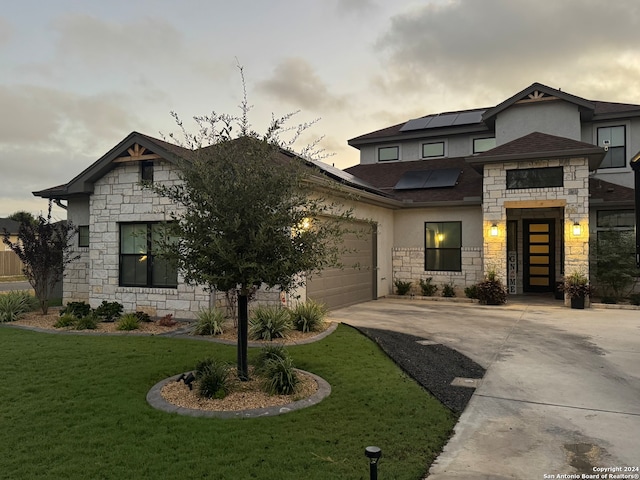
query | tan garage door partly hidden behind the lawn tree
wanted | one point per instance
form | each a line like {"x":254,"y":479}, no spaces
{"x":342,"y":287}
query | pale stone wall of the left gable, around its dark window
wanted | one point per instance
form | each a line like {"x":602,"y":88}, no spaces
{"x":119,"y":198}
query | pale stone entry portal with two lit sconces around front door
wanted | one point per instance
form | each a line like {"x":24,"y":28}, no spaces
{"x":575,"y":194}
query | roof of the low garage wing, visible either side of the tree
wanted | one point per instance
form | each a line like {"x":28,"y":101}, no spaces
{"x":83,"y":183}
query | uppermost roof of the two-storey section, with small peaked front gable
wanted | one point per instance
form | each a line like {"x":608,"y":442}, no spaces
{"x":590,"y":110}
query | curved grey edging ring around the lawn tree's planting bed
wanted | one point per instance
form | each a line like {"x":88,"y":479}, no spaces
{"x":155,"y":399}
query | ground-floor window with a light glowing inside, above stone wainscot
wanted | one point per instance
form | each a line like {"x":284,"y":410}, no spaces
{"x":443,"y":246}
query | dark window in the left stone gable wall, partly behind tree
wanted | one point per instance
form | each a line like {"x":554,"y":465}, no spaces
{"x":139,"y":264}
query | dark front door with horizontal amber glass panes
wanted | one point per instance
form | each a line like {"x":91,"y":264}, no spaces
{"x":539,"y":255}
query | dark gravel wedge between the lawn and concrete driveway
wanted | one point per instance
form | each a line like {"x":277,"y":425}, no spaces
{"x":432,"y":366}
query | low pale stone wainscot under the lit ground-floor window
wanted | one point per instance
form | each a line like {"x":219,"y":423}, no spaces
{"x":408,"y":265}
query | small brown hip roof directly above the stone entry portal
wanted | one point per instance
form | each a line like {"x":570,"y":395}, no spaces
{"x":536,"y":145}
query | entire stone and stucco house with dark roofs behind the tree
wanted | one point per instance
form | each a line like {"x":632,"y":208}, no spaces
{"x":519,"y":188}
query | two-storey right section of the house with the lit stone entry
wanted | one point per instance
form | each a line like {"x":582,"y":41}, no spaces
{"x":520,"y":187}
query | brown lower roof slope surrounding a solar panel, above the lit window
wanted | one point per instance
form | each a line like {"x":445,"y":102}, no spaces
{"x":385,"y":176}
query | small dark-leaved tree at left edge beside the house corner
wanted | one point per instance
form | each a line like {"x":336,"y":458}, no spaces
{"x":43,"y":248}
